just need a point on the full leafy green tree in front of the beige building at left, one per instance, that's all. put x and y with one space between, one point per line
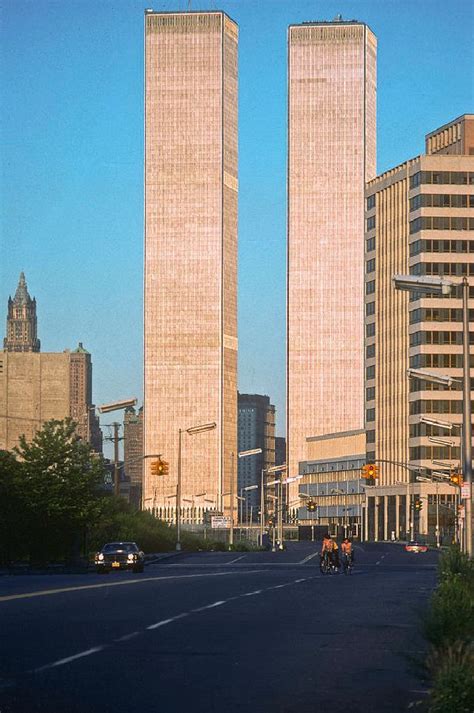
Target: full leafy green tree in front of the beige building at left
62 489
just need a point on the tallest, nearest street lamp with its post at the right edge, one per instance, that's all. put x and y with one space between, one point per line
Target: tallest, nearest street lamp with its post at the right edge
433 285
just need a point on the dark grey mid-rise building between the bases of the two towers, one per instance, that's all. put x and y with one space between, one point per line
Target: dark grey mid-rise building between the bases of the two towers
256 430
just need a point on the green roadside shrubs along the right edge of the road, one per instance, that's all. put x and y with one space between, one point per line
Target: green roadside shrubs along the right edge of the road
448 626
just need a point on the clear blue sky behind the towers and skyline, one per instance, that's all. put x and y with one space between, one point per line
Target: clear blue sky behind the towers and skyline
72 160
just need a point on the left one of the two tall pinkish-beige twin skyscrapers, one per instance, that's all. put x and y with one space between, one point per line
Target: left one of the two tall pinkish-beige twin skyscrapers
191 185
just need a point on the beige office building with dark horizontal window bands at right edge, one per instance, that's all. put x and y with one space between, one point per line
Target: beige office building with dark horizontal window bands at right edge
419 219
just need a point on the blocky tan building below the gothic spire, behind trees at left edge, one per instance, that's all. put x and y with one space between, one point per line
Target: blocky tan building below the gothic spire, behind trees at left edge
36 387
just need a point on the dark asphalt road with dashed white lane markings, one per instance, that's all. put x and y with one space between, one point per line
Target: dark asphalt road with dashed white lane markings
218 633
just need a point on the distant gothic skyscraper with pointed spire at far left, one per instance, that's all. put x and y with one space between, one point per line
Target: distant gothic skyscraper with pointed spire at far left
21 321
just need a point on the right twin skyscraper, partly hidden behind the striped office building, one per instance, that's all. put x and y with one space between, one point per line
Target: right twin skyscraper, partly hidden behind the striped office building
331 154
